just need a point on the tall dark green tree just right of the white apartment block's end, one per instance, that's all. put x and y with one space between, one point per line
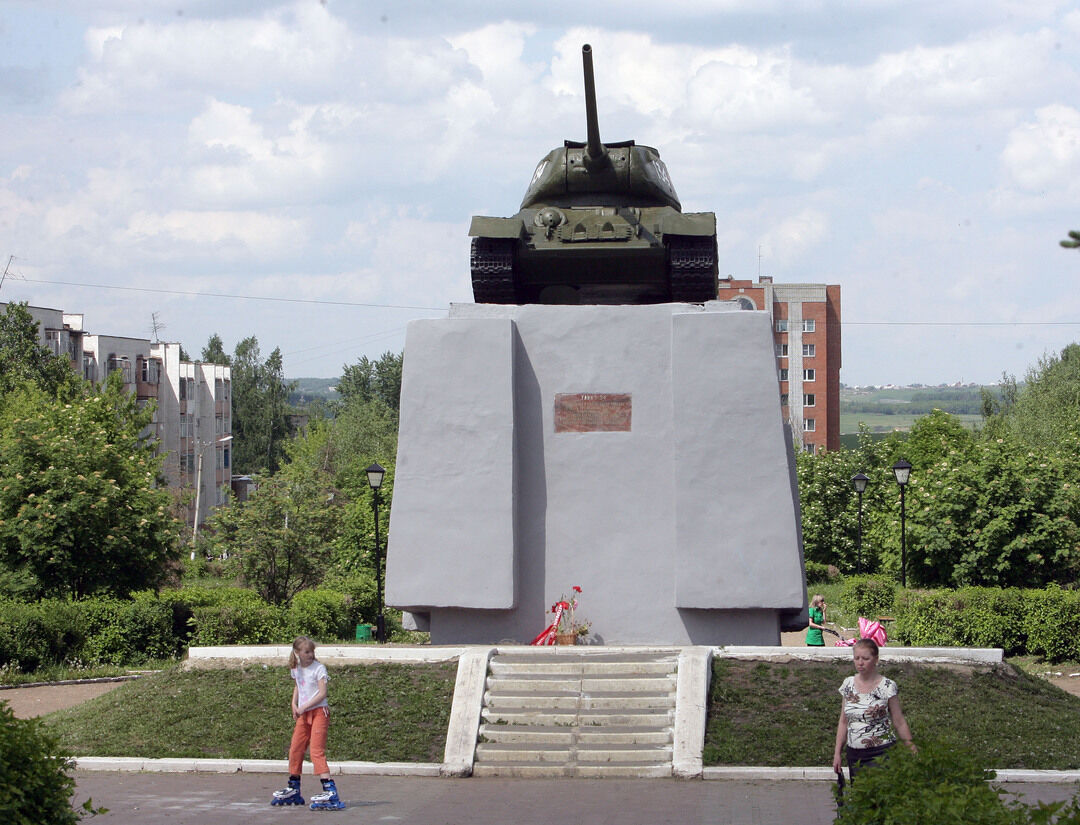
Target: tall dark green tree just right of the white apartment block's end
260 409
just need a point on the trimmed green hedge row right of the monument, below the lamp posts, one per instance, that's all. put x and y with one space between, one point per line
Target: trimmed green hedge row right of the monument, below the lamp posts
1037 623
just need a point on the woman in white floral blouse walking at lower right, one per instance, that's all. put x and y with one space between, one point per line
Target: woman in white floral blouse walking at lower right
870 711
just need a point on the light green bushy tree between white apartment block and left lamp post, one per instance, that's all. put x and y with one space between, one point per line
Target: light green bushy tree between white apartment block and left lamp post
283 535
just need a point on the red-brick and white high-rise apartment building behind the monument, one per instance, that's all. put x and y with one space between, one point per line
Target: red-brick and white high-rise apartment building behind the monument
807 334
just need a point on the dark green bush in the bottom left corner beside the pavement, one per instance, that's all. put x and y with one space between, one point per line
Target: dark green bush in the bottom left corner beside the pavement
36 788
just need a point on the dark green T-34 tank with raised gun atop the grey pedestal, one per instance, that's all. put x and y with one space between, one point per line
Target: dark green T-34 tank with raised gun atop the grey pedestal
600 224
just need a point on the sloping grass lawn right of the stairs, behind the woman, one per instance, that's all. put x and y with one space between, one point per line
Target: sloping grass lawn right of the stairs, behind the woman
786 714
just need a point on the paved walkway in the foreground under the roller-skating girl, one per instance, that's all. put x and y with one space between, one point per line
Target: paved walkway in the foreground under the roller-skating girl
217 800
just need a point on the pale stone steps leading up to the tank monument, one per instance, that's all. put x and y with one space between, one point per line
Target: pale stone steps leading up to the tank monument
572 712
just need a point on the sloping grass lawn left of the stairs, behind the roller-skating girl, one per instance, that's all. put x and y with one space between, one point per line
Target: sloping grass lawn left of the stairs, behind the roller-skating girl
379 713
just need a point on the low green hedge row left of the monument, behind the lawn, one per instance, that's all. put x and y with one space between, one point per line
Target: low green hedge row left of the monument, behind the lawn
148 627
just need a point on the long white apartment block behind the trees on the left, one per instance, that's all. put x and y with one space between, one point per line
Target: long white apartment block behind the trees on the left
193 421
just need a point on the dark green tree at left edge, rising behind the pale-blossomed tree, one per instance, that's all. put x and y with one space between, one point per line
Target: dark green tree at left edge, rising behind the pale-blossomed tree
23 360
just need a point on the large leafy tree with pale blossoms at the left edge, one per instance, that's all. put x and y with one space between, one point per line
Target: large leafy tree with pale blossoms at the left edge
83 504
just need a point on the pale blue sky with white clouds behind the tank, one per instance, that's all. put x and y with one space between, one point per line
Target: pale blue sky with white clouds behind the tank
305 172
